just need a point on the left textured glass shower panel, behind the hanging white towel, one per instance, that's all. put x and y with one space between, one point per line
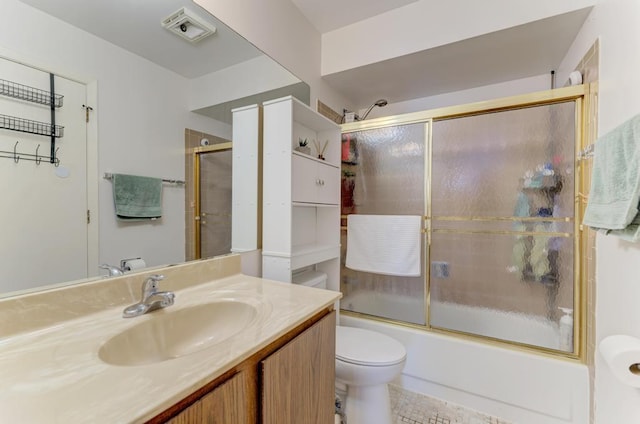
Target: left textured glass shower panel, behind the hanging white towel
383 173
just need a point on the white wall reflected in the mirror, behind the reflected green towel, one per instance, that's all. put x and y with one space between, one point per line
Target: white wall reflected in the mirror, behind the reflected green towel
142 112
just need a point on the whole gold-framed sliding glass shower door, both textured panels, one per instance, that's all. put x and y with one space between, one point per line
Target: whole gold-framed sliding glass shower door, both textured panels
497 184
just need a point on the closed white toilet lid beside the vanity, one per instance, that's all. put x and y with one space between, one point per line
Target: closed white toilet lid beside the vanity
364 347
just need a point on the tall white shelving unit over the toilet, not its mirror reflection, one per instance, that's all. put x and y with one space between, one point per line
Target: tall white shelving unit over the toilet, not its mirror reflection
301 193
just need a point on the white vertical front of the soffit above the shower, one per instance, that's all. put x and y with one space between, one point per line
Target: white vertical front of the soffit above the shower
426 24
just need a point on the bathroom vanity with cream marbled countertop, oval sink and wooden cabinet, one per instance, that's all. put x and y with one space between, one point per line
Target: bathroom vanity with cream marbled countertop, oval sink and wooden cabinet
232 349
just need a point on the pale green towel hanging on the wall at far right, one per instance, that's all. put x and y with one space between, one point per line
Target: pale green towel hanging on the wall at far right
615 183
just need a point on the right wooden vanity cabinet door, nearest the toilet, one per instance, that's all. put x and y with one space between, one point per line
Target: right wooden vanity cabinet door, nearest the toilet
298 380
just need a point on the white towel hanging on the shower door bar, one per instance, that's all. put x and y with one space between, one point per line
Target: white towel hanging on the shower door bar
384 244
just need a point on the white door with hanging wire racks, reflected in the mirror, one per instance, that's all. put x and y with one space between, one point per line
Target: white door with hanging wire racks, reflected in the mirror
43 213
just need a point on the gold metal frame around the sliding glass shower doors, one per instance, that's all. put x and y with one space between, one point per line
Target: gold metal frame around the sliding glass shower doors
578 94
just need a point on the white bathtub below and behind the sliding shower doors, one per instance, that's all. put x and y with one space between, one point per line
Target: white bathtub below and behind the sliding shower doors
509 383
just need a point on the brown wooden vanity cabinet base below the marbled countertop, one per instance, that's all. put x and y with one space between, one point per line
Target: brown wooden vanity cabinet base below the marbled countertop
288 382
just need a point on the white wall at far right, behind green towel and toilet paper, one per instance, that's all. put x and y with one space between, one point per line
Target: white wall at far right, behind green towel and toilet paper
615 23
